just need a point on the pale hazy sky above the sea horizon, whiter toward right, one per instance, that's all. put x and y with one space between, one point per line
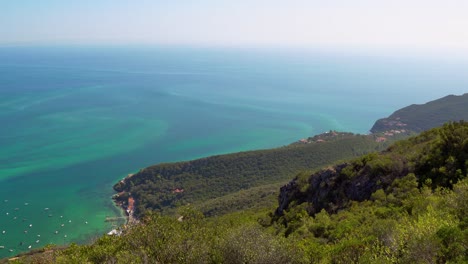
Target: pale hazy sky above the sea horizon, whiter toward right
376 24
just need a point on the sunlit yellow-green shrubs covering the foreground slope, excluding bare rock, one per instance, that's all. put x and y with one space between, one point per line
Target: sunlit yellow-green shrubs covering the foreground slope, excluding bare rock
419 215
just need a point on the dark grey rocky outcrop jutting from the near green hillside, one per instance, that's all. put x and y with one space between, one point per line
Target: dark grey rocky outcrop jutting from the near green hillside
334 188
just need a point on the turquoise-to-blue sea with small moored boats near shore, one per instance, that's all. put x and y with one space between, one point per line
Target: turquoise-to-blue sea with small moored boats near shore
75 120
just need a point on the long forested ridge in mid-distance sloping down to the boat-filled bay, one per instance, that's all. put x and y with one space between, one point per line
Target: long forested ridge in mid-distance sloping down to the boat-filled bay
166 186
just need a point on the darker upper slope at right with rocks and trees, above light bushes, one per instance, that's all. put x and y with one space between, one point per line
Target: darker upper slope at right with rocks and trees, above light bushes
436 158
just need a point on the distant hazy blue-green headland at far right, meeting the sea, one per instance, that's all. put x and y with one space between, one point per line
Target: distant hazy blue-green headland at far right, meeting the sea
419 118
